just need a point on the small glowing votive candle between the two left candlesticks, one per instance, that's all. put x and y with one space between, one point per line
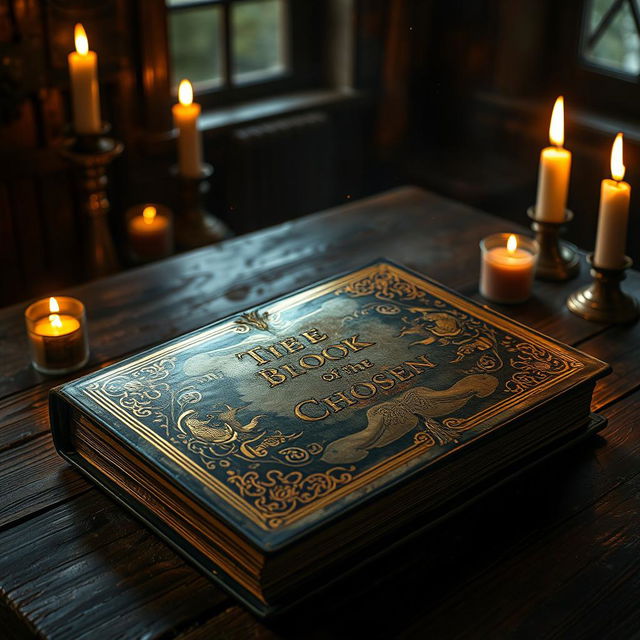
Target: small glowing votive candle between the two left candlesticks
149 232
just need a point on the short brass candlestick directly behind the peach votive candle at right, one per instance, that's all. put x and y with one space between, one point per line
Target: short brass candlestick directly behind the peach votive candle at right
557 261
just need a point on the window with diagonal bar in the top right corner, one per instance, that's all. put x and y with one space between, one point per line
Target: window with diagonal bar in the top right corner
611 38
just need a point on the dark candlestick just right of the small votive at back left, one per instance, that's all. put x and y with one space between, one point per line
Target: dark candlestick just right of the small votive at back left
194 225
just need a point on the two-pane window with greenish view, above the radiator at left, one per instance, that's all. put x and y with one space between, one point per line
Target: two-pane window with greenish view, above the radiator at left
228 44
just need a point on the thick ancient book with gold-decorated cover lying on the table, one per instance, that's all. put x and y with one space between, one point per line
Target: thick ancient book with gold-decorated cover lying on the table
277 447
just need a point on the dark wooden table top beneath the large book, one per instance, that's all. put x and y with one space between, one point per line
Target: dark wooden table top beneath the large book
554 554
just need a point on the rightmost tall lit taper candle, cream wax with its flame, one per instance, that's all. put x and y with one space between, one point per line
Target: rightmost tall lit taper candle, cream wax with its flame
615 195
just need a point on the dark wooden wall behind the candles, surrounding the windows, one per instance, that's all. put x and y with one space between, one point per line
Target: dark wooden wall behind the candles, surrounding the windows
454 96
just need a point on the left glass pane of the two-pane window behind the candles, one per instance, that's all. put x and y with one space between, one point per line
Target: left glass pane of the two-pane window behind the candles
194 39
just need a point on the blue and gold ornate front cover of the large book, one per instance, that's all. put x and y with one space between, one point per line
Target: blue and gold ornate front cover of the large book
288 414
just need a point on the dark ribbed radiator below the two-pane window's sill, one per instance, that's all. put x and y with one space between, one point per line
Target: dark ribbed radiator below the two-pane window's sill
280 170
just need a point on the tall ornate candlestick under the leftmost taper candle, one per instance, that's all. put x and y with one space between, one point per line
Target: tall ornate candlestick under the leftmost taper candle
91 155
